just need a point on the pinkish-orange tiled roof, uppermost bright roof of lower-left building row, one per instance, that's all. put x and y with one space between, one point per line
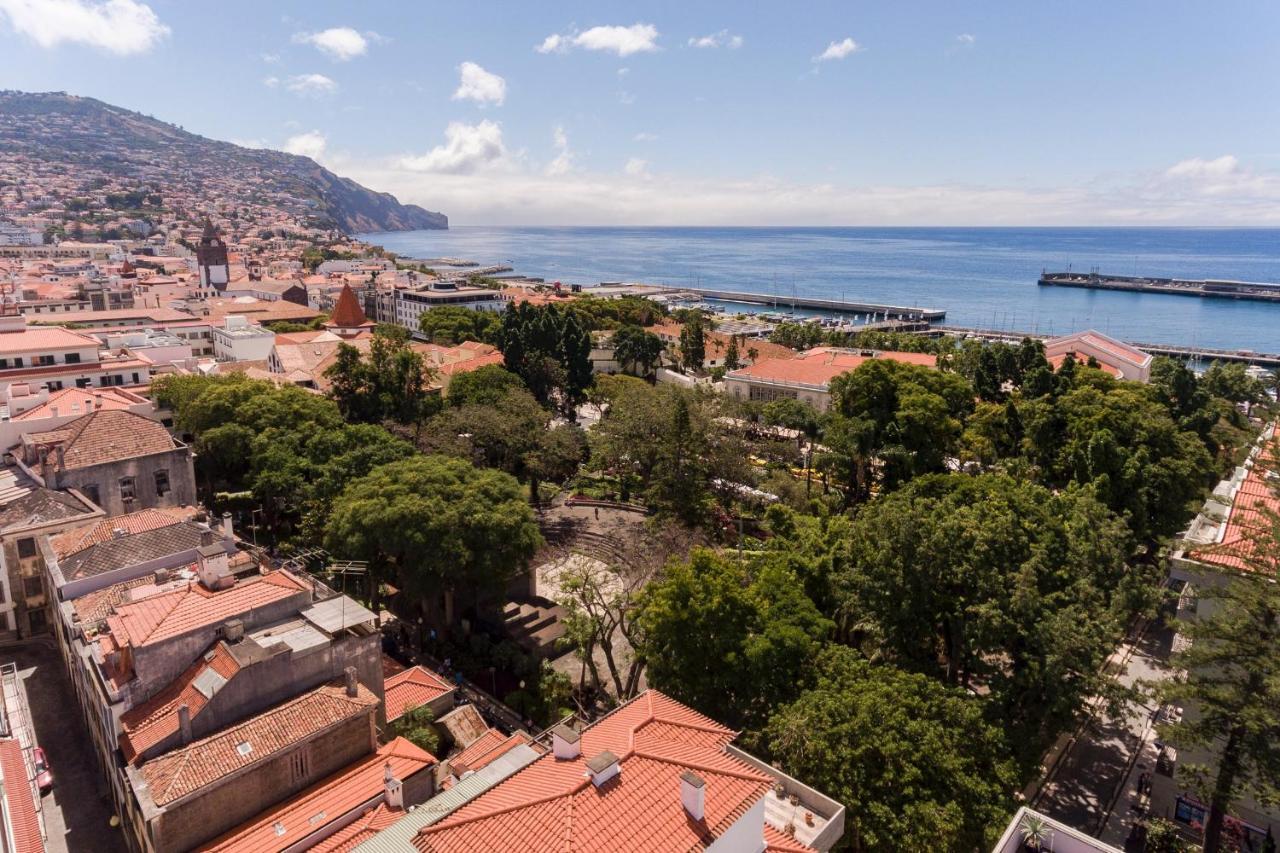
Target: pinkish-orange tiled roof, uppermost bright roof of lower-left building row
175 613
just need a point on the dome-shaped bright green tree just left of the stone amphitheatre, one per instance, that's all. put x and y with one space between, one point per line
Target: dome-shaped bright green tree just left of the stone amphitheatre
436 526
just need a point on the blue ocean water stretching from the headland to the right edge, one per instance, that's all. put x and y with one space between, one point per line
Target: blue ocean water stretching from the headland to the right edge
982 277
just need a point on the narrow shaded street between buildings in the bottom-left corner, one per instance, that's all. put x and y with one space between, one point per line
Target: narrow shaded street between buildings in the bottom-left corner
79 809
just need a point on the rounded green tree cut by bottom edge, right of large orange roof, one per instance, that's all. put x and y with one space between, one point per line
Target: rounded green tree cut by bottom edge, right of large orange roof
915 763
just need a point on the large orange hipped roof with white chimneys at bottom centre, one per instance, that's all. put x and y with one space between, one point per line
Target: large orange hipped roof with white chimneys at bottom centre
554 804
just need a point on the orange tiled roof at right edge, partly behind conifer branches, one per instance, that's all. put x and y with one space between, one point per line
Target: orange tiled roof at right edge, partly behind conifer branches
1252 514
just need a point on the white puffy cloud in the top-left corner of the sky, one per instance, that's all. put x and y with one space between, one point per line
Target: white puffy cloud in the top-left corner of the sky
120 28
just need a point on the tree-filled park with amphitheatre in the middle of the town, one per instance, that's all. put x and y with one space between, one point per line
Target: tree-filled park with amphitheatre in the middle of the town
903 601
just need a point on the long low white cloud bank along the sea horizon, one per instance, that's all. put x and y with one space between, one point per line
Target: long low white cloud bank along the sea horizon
522 195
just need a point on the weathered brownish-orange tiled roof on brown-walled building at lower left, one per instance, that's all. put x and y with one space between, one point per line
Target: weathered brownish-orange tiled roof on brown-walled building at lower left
204 763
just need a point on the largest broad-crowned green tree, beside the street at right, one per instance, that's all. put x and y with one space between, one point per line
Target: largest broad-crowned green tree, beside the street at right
995 583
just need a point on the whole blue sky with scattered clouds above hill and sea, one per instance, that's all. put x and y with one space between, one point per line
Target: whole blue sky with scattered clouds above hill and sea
687 113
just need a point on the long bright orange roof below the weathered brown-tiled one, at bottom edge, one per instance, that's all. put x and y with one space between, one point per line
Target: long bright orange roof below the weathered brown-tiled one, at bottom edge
333 799
